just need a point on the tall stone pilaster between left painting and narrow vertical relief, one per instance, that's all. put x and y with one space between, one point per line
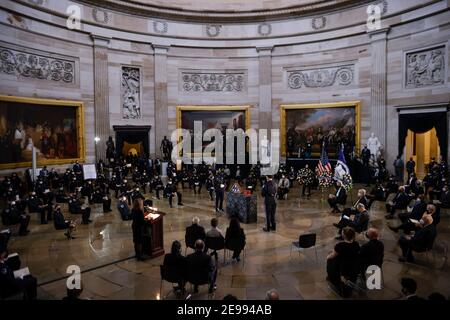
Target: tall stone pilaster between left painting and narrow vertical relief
101 95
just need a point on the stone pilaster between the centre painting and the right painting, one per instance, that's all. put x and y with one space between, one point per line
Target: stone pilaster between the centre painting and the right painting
265 87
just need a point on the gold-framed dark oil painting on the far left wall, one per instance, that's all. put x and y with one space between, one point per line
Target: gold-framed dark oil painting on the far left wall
54 127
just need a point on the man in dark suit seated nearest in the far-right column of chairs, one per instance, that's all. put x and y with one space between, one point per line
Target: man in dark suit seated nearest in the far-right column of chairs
422 240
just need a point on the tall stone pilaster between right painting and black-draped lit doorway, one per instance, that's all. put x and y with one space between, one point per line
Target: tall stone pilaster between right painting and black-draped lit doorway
378 84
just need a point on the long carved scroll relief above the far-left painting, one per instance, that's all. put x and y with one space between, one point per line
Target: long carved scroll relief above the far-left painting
36 66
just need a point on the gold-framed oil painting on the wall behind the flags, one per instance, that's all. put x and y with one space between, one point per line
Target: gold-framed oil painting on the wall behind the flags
305 128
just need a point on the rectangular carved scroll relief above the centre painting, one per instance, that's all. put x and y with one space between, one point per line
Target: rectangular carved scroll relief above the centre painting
212 81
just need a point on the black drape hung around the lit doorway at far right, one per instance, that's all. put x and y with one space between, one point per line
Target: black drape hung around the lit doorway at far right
421 123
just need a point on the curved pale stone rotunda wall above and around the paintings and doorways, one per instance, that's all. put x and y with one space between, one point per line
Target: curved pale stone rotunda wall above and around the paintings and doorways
267 56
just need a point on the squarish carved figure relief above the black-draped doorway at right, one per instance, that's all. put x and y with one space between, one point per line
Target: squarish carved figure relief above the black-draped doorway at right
425 68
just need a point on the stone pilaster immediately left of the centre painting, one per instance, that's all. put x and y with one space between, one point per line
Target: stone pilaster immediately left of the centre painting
161 112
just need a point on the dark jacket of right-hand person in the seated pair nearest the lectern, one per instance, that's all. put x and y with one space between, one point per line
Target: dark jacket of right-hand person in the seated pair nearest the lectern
199 267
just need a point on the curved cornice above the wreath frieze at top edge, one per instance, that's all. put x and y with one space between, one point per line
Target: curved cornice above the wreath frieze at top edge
224 9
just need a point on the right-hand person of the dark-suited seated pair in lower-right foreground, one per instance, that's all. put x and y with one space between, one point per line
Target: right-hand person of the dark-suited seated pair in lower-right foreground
372 252
